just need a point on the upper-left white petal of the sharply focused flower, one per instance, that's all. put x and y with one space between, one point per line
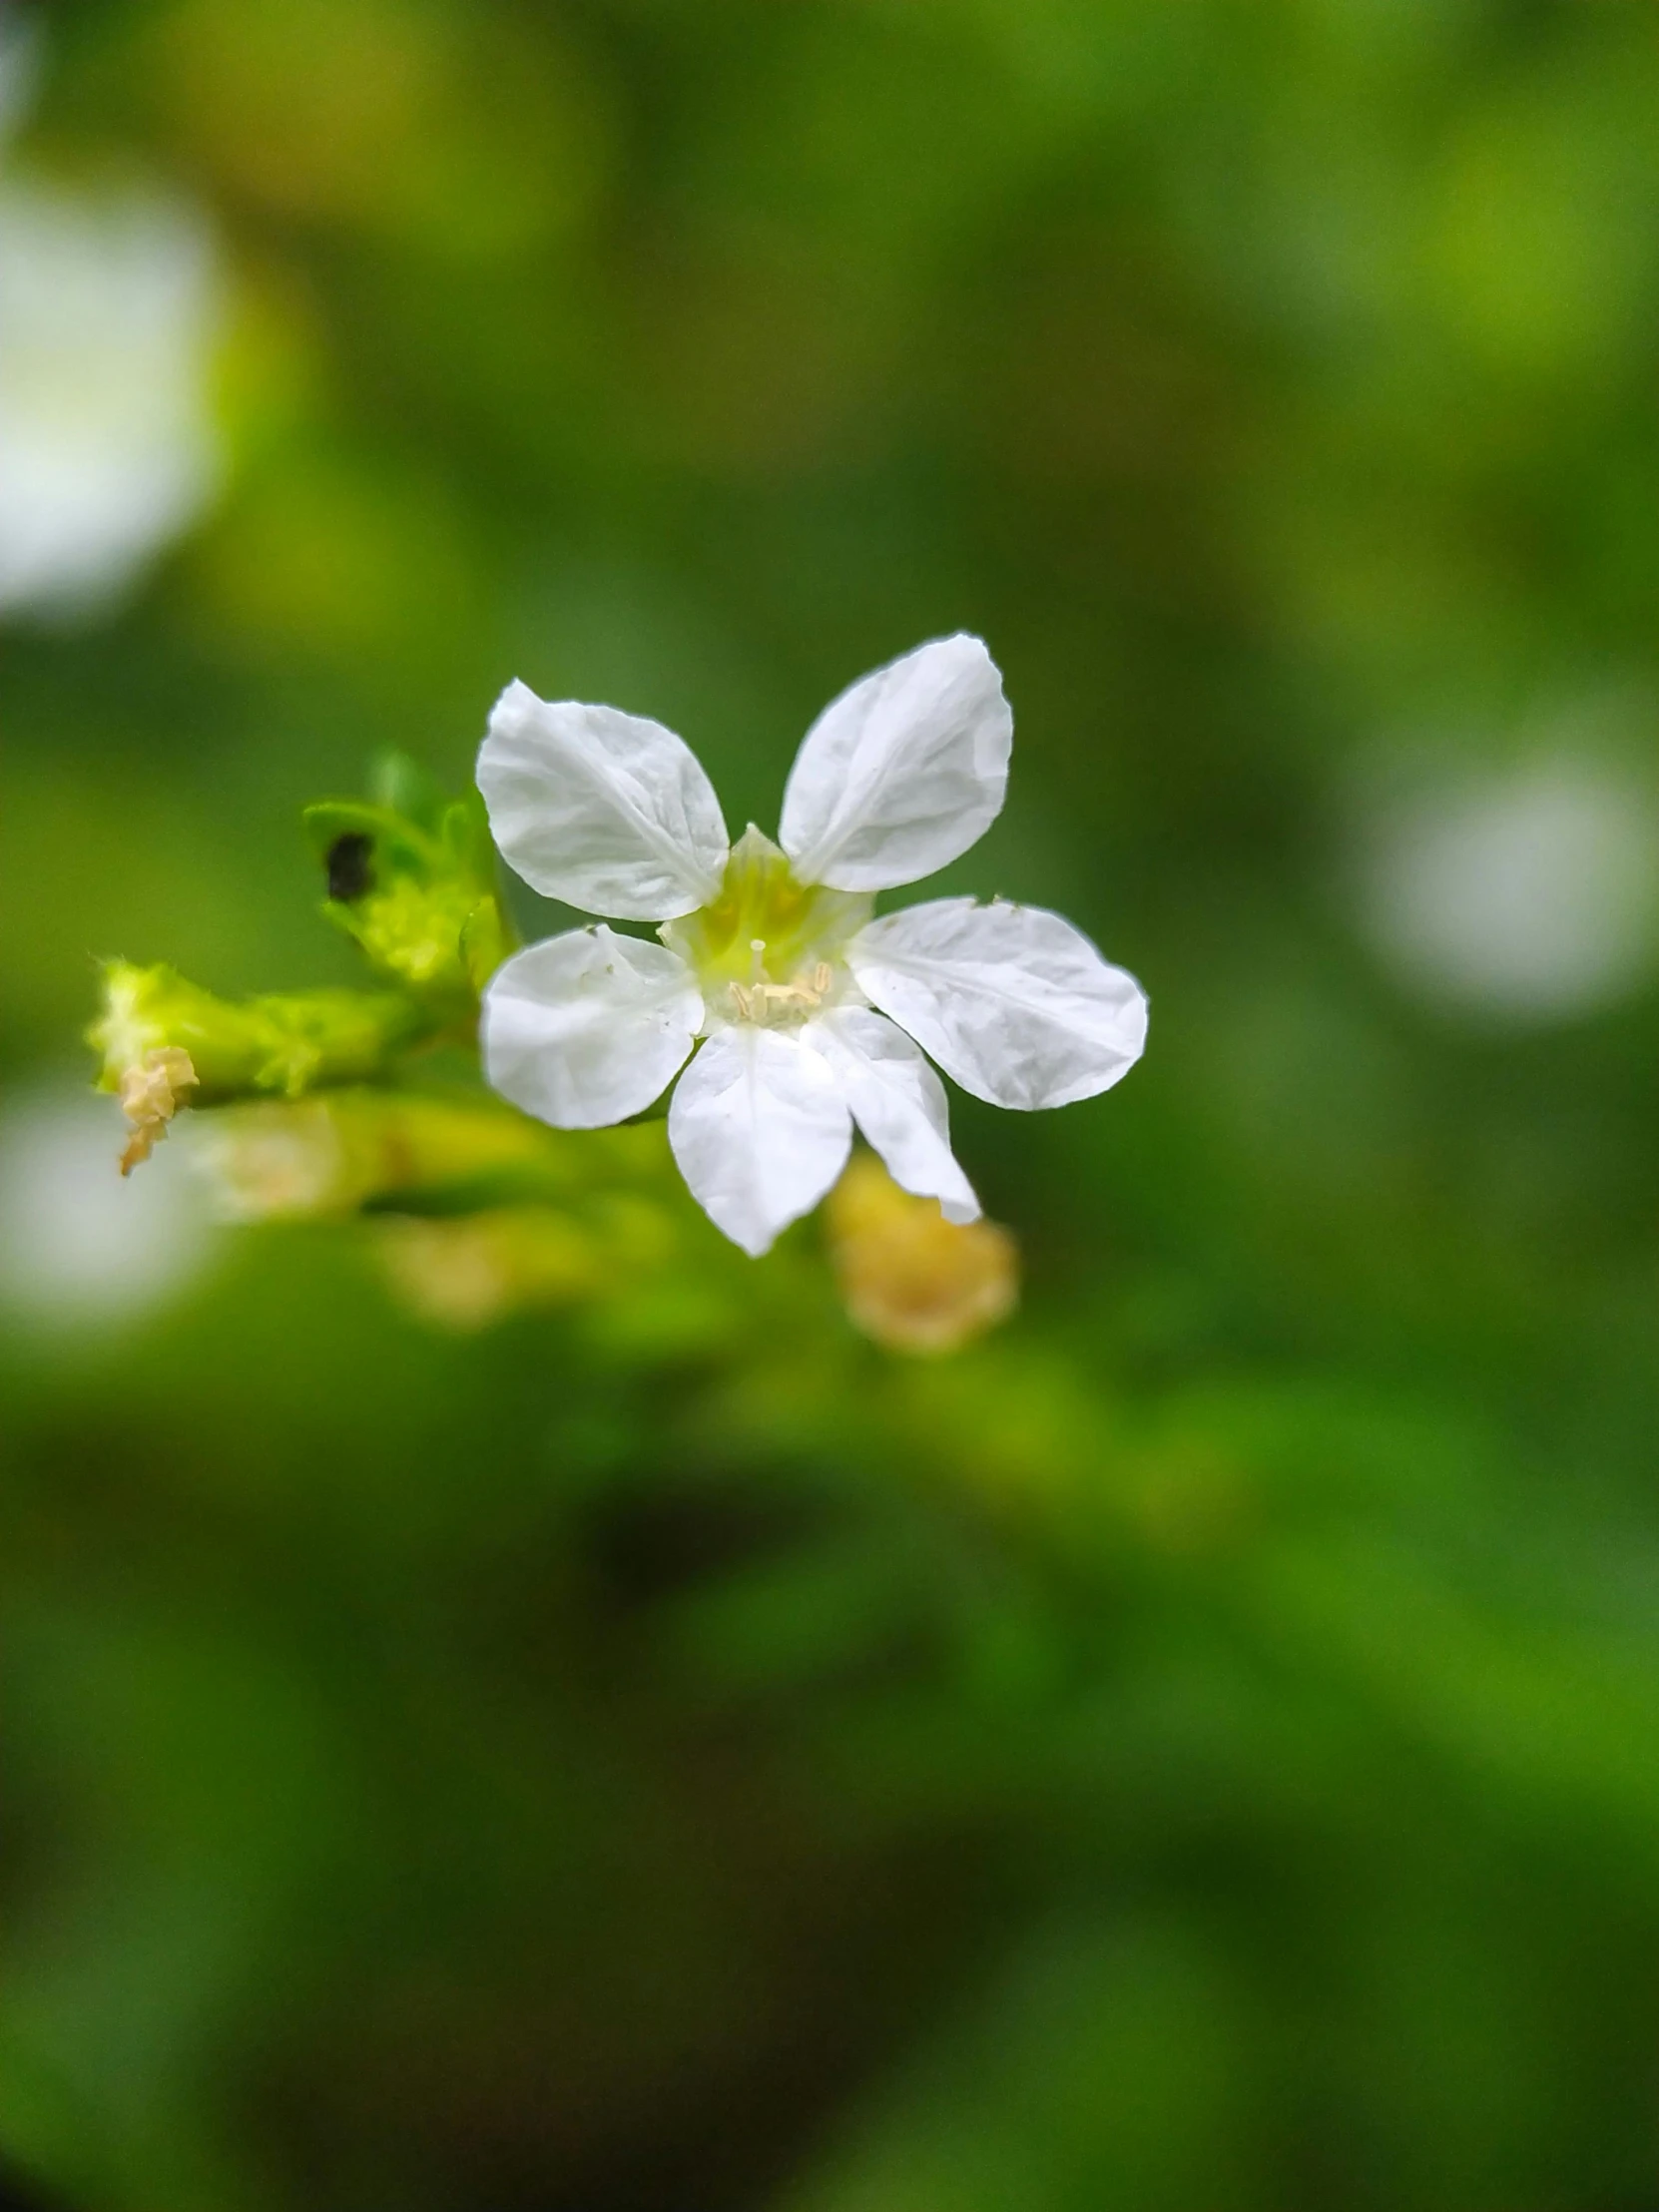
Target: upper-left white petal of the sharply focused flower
605 811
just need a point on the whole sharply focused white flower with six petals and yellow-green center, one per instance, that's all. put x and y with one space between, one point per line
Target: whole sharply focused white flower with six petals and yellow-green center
811 1014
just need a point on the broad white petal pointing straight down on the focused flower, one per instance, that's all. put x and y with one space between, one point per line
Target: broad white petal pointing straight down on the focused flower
760 1129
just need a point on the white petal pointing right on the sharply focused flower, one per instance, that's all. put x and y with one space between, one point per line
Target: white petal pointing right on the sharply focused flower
1012 1001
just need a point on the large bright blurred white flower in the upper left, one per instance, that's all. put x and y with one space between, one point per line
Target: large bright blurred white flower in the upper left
107 324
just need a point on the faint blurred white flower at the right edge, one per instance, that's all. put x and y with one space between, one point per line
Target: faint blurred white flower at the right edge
1530 893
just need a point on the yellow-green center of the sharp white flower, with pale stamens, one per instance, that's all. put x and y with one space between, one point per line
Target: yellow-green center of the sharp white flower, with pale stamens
766 948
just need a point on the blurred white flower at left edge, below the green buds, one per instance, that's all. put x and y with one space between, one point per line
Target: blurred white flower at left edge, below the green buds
81 1246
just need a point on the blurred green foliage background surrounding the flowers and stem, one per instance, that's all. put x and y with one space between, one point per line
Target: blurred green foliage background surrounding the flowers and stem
1198 1749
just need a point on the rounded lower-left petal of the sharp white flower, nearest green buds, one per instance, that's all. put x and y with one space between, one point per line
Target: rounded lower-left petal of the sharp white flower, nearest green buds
589 1027
